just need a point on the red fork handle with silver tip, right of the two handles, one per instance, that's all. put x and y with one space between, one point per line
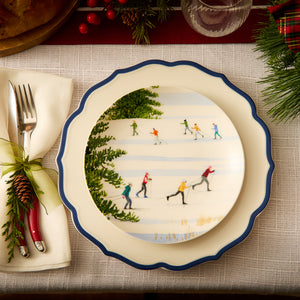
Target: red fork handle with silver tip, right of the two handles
33 225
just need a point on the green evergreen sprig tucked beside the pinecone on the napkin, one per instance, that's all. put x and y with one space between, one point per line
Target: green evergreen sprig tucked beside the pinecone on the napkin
11 229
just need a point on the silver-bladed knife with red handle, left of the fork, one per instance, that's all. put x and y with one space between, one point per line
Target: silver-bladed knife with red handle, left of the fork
14 135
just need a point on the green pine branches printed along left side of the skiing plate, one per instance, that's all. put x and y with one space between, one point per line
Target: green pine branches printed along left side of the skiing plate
99 156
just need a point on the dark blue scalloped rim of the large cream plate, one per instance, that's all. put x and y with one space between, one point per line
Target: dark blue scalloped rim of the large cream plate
163 264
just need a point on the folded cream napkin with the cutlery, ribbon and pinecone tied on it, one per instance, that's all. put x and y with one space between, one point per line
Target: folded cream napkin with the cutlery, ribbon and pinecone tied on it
34 230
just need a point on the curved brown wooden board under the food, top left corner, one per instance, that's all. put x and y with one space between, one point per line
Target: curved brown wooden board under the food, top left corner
37 35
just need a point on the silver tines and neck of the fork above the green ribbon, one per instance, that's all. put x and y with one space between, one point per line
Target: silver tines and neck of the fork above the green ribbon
27 113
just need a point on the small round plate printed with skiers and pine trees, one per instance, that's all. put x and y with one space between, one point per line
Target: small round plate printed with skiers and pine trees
159 167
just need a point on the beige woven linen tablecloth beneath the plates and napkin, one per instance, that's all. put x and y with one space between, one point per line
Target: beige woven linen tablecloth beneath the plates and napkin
267 261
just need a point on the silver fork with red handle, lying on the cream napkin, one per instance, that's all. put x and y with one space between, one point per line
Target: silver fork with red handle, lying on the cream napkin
27 123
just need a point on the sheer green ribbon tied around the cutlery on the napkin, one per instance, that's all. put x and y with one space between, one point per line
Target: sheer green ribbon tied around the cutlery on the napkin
13 159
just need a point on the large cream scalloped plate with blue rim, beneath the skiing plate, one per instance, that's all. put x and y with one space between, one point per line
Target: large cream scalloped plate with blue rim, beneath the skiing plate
251 191
